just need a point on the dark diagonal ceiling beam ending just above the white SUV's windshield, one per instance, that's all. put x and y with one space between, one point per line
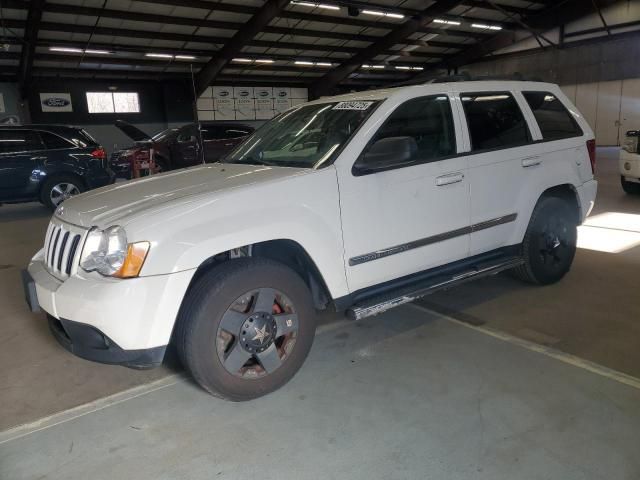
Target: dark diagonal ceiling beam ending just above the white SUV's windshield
398 35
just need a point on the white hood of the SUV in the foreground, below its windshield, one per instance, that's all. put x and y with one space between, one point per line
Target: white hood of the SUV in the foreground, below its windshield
119 203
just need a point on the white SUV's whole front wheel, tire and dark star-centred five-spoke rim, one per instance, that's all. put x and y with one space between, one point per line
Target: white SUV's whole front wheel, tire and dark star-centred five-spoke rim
245 328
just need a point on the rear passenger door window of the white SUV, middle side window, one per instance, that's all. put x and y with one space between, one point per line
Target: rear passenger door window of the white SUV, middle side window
494 120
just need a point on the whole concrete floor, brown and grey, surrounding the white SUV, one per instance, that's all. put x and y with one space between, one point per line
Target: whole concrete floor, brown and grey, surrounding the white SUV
405 395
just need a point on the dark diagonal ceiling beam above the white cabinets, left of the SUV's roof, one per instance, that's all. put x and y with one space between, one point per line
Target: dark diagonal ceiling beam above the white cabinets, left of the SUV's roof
233 47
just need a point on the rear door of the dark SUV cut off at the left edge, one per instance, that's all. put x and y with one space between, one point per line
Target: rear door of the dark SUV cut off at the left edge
21 153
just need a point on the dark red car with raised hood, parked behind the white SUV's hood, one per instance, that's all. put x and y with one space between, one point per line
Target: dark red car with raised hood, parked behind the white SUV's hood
178 147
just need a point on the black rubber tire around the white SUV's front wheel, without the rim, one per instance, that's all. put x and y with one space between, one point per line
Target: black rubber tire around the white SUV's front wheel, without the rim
210 298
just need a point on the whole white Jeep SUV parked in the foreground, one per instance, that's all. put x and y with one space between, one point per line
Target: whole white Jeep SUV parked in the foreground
361 202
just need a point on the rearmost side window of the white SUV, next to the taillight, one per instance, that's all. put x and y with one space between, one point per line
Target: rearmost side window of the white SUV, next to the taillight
553 118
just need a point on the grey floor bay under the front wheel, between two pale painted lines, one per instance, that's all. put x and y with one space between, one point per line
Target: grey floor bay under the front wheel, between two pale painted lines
406 395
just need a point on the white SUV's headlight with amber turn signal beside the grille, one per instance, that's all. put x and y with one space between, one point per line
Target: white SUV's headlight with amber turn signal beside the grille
108 253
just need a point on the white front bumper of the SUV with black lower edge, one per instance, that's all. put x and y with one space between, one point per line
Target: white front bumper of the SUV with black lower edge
126 322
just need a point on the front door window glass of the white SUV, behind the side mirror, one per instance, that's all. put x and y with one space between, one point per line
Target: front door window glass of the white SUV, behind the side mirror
429 122
